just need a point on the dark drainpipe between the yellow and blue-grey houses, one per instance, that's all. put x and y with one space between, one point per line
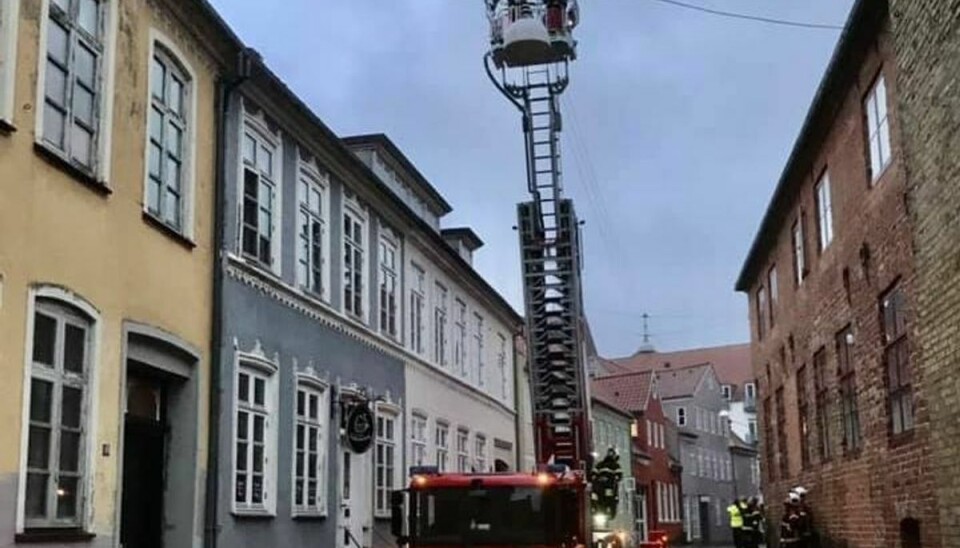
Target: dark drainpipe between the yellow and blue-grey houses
225 88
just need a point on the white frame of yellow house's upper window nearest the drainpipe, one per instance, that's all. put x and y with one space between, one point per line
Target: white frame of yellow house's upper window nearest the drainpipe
167 51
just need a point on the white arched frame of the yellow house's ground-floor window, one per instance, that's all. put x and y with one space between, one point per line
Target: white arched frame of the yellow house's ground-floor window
49 300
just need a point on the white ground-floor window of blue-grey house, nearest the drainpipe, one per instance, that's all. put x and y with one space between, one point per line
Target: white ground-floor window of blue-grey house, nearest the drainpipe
253 467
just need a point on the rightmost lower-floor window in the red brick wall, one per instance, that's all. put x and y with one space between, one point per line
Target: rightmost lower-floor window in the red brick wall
897 359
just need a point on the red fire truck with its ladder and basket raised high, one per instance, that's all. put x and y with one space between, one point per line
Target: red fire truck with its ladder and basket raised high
531 47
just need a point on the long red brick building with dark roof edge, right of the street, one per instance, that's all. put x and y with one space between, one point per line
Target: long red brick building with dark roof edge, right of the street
833 310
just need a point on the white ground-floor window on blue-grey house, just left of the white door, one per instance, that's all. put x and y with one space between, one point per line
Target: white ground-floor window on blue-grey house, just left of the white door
310 450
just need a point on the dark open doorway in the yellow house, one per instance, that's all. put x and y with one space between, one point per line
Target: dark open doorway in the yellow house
144 451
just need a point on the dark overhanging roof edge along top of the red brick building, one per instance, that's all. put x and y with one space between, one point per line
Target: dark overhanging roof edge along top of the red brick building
861 26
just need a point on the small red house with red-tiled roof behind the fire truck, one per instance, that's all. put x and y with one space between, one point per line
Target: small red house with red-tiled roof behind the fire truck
658 492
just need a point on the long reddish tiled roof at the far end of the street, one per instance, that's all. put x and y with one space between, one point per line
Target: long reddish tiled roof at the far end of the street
731 363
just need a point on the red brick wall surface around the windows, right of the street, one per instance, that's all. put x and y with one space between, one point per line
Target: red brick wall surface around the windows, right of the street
857 497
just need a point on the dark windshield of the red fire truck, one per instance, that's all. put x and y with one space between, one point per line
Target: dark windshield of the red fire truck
494 516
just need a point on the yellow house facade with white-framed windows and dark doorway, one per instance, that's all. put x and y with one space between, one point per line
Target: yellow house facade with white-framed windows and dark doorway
107 177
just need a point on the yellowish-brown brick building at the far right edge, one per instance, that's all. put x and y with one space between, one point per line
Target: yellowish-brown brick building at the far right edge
927 40
